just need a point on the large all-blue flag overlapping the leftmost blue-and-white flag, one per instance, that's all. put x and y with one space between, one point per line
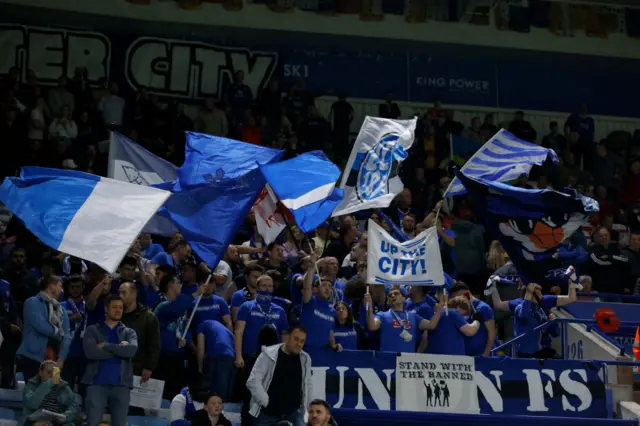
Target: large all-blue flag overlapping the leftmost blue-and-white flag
215 190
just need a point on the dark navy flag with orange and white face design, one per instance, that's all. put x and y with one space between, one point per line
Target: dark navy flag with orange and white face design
530 224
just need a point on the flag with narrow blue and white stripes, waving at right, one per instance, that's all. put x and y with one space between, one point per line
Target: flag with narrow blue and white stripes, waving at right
503 158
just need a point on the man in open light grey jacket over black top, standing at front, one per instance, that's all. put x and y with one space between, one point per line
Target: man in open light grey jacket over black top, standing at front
280 382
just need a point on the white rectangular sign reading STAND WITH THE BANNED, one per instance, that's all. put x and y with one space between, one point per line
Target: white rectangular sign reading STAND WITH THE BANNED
436 383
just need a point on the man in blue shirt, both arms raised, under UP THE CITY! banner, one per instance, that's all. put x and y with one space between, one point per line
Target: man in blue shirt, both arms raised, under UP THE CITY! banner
398 327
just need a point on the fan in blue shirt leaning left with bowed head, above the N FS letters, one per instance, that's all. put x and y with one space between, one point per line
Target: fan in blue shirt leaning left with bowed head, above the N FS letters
483 341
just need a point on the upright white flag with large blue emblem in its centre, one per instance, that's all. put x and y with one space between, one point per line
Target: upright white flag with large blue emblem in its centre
370 179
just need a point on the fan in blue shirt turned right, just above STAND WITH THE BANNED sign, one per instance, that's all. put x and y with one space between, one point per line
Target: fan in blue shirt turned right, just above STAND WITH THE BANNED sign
448 338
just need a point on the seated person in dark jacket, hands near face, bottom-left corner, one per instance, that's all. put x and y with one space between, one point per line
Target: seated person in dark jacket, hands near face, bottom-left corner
47 391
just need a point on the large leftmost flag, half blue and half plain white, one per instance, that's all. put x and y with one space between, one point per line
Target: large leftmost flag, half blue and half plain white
83 215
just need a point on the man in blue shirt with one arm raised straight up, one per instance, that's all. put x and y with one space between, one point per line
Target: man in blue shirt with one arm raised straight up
318 315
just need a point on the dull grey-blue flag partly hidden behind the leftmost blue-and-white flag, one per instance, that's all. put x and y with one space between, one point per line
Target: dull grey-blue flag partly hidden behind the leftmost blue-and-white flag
130 162
